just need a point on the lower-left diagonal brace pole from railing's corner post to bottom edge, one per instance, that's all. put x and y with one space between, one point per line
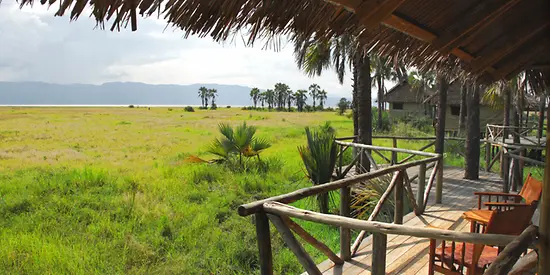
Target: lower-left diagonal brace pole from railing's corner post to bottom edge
298 250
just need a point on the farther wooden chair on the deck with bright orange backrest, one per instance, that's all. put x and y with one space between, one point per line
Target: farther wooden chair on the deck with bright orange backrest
529 195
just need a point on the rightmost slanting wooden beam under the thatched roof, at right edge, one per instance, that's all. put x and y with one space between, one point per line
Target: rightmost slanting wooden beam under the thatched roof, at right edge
508 43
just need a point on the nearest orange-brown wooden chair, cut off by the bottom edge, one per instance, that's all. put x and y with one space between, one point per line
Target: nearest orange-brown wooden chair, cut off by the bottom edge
453 258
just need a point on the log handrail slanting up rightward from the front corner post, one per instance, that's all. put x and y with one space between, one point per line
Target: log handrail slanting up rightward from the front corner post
253 207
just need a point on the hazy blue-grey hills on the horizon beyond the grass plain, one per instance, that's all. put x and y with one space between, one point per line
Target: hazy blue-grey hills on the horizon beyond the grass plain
121 93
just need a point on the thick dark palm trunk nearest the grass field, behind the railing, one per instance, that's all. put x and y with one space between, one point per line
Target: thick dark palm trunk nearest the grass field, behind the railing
364 106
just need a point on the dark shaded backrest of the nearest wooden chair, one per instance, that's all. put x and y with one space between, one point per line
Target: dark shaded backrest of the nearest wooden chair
511 222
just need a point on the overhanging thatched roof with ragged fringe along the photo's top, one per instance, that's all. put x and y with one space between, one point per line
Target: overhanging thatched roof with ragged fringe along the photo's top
490 39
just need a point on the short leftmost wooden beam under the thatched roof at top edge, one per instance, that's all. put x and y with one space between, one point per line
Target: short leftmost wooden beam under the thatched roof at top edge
372 12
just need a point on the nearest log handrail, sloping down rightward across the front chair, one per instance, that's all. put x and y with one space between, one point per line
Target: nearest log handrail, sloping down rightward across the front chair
387 228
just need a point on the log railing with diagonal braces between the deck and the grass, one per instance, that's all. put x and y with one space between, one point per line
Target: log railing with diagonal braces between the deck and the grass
265 210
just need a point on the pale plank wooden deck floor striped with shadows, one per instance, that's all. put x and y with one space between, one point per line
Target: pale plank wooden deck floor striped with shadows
409 255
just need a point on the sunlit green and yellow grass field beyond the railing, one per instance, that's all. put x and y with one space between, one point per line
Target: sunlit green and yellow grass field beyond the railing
108 190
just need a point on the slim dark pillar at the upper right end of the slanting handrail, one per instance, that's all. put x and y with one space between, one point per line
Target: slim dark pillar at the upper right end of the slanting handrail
442 86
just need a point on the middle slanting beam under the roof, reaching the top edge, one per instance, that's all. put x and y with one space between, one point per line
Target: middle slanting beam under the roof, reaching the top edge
472 21
